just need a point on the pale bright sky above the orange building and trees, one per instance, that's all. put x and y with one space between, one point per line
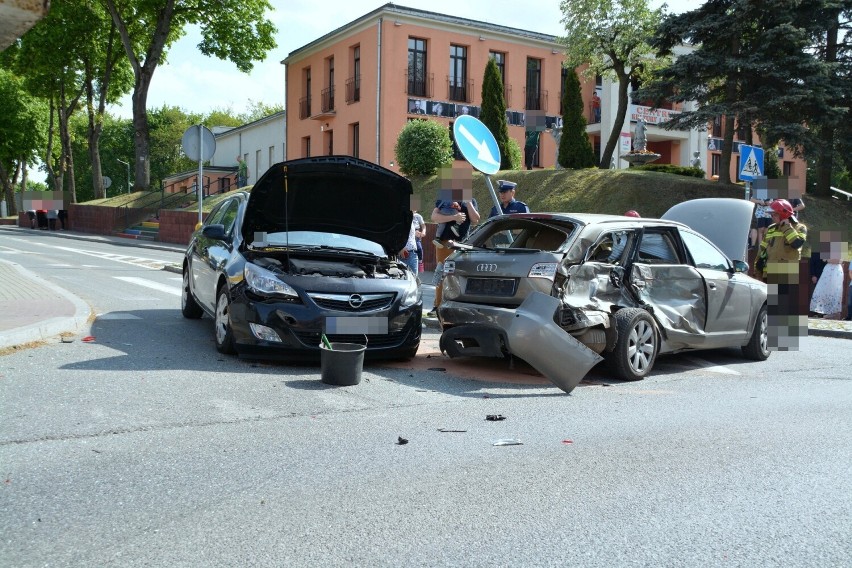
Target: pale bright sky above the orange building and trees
201 84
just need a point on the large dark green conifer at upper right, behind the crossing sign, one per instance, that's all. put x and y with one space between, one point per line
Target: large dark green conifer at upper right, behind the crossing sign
753 64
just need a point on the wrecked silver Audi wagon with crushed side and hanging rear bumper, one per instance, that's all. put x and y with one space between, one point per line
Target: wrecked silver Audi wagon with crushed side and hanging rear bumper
564 291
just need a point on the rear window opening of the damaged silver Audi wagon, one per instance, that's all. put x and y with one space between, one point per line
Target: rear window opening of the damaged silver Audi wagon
526 234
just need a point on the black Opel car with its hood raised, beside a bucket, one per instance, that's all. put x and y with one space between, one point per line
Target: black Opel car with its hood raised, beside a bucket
312 249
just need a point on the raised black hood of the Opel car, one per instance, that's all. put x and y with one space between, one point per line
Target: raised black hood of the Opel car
335 194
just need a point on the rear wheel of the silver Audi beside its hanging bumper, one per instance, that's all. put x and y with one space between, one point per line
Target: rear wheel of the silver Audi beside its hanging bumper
636 347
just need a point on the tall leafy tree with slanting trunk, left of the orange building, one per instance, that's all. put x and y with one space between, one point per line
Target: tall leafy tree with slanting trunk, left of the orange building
236 30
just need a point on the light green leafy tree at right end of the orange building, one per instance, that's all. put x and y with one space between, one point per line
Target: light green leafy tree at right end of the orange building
610 38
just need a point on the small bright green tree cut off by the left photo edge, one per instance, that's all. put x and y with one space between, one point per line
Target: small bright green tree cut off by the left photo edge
23 125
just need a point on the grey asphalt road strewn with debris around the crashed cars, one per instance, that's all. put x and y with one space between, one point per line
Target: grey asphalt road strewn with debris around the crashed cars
146 447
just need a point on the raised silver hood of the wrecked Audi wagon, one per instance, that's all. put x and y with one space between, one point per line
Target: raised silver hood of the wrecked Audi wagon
723 220
